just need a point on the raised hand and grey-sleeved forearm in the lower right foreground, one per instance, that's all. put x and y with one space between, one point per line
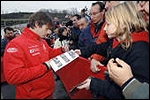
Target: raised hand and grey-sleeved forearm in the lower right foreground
120 72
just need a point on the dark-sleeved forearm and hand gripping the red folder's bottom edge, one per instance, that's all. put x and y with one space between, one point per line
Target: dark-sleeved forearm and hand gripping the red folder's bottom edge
102 88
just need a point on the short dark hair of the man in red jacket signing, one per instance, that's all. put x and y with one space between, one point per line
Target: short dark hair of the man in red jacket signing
40 17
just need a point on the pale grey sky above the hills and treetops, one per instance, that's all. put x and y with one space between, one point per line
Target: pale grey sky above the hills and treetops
32 6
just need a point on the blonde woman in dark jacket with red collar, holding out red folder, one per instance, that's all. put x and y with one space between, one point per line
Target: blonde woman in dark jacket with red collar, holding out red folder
129 41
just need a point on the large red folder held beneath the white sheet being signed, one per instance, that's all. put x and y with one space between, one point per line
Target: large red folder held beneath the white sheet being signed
76 72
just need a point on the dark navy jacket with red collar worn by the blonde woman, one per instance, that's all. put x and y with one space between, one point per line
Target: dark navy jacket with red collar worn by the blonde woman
137 56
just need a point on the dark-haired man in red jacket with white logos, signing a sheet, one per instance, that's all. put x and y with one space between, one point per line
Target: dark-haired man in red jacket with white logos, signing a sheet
26 60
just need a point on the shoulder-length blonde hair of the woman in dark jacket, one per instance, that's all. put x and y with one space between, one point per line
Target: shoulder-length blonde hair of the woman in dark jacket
127 20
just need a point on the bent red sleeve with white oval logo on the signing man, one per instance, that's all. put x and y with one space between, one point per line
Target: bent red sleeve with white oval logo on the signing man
16 69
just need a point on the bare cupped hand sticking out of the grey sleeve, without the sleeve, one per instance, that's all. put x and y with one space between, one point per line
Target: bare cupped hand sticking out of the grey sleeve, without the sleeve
119 71
